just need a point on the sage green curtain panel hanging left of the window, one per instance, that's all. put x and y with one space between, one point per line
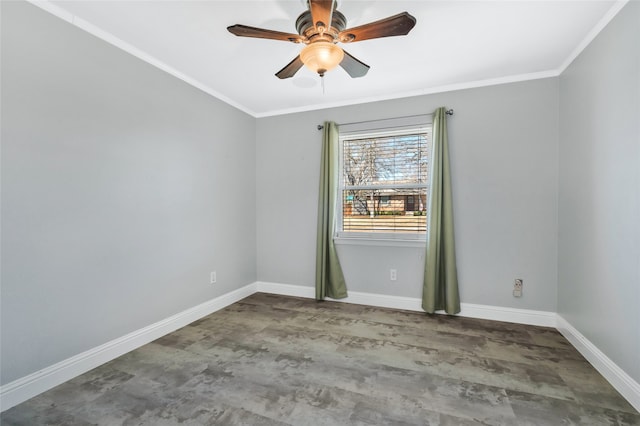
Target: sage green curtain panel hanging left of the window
329 278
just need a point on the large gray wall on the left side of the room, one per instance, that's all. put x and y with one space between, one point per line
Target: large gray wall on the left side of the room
122 188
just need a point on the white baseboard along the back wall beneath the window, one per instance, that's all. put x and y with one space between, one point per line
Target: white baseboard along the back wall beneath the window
496 313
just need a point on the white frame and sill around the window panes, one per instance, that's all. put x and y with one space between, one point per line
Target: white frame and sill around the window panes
378 238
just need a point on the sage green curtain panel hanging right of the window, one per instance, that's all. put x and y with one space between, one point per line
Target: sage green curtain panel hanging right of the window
440 287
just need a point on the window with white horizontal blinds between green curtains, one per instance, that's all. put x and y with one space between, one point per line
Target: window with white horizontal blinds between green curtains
383 183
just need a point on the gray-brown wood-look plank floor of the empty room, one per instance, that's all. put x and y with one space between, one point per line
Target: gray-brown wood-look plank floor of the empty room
274 360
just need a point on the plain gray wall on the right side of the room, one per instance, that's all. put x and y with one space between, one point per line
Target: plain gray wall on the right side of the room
599 208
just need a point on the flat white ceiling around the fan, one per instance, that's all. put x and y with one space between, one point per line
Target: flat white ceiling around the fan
455 44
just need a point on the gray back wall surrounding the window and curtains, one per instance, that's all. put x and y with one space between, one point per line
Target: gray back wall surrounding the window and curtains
503 142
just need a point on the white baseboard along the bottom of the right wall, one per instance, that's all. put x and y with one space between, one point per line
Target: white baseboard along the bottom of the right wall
621 381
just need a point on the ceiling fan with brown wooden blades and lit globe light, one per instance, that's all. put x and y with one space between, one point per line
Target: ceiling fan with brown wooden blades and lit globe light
320 28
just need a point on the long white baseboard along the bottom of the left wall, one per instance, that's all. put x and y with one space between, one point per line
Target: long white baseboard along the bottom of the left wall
29 386
